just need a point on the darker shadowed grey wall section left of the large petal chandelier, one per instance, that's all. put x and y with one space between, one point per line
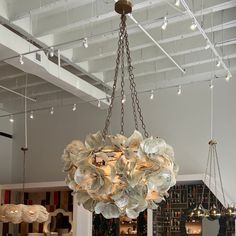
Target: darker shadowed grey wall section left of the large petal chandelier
48 135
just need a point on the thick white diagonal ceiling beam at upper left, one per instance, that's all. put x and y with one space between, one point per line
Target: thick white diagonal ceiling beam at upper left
47 69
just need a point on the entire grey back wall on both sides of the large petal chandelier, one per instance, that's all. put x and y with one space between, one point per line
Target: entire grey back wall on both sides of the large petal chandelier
183 121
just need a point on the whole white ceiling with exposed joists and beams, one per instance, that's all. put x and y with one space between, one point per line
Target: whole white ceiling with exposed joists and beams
66 22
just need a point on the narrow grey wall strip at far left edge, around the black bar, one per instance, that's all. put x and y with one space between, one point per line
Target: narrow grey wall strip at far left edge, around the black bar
5 150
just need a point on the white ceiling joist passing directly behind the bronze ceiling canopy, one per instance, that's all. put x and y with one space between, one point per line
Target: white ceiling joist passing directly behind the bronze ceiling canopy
86 16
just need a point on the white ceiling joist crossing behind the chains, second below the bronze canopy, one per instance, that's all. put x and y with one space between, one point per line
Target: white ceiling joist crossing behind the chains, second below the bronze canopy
139 41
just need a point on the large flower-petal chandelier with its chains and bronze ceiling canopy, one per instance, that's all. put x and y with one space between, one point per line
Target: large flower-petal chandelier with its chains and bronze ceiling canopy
115 175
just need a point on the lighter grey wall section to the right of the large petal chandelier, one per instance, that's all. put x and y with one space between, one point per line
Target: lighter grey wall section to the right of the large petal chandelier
184 122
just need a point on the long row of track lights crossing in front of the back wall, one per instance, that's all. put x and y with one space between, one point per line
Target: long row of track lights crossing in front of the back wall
152 93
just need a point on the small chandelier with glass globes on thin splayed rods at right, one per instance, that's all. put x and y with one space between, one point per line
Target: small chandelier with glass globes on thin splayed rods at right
213 171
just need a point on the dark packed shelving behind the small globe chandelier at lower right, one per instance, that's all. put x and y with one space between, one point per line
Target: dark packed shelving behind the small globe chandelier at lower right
167 218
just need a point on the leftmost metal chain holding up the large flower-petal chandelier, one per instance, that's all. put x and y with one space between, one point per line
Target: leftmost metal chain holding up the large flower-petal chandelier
109 114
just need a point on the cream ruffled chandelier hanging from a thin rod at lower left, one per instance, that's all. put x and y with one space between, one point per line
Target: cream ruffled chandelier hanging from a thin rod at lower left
17 213
